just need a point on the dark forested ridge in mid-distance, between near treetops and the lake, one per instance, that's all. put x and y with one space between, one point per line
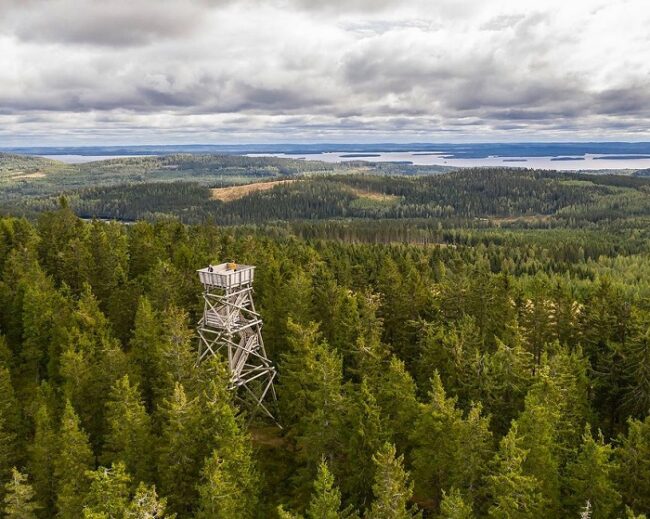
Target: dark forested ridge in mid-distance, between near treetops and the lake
499 195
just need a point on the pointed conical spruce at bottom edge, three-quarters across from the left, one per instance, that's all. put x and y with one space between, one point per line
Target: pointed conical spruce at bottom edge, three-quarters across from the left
515 495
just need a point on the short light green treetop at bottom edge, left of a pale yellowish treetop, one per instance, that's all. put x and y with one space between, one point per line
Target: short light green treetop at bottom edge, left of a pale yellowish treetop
108 494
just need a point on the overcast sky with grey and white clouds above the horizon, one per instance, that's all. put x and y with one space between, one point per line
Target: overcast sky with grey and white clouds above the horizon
75 72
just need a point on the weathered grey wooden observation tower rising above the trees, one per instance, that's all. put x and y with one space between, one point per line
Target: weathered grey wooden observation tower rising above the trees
230 324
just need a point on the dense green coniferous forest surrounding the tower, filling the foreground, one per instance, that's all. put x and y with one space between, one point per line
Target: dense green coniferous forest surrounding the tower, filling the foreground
425 370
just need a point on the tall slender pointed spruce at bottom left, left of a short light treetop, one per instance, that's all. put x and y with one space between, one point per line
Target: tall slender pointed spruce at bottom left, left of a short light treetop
74 459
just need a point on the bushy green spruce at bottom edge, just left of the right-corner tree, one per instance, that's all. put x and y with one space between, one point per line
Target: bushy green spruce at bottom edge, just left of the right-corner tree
591 477
